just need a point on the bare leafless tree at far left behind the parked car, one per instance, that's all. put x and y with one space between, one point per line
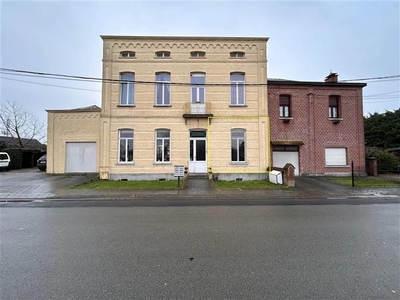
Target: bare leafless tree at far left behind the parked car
20 124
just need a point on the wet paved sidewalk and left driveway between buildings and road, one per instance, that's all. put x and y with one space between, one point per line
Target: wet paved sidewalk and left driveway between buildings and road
30 184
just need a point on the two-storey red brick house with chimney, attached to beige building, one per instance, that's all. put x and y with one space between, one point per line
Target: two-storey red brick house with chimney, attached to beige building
317 126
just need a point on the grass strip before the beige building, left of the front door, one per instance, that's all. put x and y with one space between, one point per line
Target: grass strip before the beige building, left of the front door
137 185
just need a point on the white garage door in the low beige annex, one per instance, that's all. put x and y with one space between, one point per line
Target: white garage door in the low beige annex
80 158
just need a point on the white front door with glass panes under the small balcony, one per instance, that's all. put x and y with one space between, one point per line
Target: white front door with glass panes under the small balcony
198 152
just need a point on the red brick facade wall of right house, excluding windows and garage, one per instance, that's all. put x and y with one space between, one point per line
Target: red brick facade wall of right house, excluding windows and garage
311 125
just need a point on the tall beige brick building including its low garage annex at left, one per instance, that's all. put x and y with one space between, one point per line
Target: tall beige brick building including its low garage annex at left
166 101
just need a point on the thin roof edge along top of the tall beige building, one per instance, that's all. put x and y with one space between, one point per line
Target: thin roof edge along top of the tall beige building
190 38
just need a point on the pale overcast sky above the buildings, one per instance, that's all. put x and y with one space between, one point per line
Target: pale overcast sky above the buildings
308 39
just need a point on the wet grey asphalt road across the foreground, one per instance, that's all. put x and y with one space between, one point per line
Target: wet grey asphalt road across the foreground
200 252
